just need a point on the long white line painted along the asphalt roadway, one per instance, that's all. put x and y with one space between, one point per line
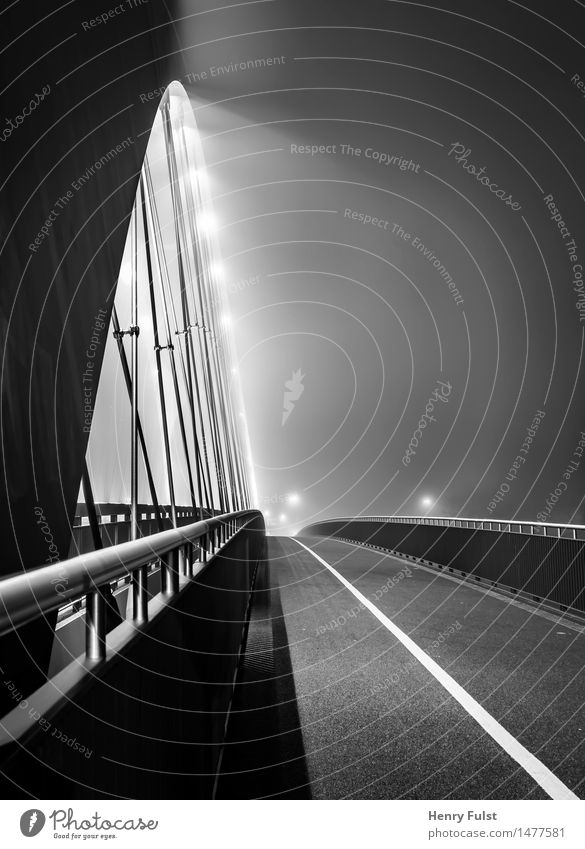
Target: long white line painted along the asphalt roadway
535 768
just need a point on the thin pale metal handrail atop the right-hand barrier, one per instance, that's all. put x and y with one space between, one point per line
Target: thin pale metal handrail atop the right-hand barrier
509 525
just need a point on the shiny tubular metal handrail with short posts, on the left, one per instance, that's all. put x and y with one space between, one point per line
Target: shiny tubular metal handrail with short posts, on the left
26 596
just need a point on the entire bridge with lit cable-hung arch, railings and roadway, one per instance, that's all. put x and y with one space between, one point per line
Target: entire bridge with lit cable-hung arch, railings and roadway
159 637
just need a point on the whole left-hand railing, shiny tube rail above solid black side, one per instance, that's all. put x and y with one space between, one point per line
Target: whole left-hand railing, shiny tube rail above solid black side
143 713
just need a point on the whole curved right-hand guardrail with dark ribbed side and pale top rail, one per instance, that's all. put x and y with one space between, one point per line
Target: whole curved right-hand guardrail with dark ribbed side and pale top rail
543 562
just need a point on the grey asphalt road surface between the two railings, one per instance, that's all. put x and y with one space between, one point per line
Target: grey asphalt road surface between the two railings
330 703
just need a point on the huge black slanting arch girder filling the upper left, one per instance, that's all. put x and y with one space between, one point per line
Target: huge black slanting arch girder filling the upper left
68 176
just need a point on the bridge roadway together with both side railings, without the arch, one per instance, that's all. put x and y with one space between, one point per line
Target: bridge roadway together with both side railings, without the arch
383 657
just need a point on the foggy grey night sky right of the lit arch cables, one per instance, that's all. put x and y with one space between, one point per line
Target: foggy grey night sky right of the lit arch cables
385 178
